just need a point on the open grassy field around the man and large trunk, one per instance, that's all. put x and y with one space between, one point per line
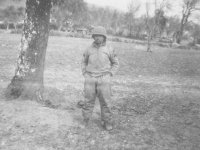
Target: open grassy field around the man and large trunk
155 102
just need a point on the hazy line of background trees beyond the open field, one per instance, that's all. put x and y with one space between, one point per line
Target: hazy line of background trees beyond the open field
73 14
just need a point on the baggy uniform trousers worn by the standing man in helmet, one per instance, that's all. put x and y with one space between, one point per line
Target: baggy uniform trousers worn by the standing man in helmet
97 87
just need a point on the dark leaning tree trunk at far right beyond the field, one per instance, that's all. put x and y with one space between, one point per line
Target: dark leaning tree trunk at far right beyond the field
188 7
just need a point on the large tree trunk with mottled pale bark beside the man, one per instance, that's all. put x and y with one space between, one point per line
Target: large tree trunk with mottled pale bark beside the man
27 82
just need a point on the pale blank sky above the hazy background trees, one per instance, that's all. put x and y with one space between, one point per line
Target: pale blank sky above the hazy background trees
123 5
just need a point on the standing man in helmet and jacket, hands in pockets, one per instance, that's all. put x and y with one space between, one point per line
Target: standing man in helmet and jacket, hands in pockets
99 64
